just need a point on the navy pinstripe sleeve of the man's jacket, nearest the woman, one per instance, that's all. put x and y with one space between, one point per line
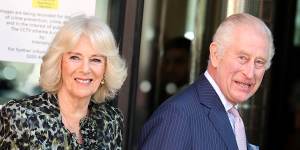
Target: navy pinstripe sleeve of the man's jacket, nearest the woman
167 129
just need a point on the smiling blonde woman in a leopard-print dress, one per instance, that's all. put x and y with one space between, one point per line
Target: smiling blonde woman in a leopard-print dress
81 71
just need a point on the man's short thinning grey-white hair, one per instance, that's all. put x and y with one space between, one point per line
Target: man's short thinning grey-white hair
224 32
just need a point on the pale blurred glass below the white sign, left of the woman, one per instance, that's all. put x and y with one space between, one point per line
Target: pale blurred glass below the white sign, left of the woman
18 80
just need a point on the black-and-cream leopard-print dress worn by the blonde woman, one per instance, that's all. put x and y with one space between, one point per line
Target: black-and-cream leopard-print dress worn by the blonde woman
35 123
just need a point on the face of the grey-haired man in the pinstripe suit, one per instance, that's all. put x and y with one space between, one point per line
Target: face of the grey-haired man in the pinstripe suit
241 66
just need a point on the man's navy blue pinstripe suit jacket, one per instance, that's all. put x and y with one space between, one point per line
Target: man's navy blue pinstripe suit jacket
194 119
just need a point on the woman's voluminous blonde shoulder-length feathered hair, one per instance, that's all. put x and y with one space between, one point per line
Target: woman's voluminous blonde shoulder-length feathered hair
101 38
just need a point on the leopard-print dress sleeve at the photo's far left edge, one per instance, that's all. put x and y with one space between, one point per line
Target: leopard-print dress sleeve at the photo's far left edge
14 132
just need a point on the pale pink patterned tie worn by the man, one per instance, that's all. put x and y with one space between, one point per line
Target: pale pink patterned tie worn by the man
239 129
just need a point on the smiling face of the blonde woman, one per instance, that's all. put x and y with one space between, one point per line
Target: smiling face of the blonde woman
82 69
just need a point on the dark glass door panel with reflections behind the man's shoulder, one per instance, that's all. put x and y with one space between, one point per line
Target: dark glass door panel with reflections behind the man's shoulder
165 53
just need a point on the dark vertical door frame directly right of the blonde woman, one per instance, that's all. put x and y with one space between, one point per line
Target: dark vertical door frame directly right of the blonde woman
127 26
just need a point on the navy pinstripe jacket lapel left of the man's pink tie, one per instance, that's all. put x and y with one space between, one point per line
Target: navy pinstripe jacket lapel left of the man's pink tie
217 114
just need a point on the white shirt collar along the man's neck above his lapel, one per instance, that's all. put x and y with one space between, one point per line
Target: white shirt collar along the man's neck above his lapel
227 105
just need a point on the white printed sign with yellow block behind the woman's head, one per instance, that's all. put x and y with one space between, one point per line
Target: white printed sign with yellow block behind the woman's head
28 26
